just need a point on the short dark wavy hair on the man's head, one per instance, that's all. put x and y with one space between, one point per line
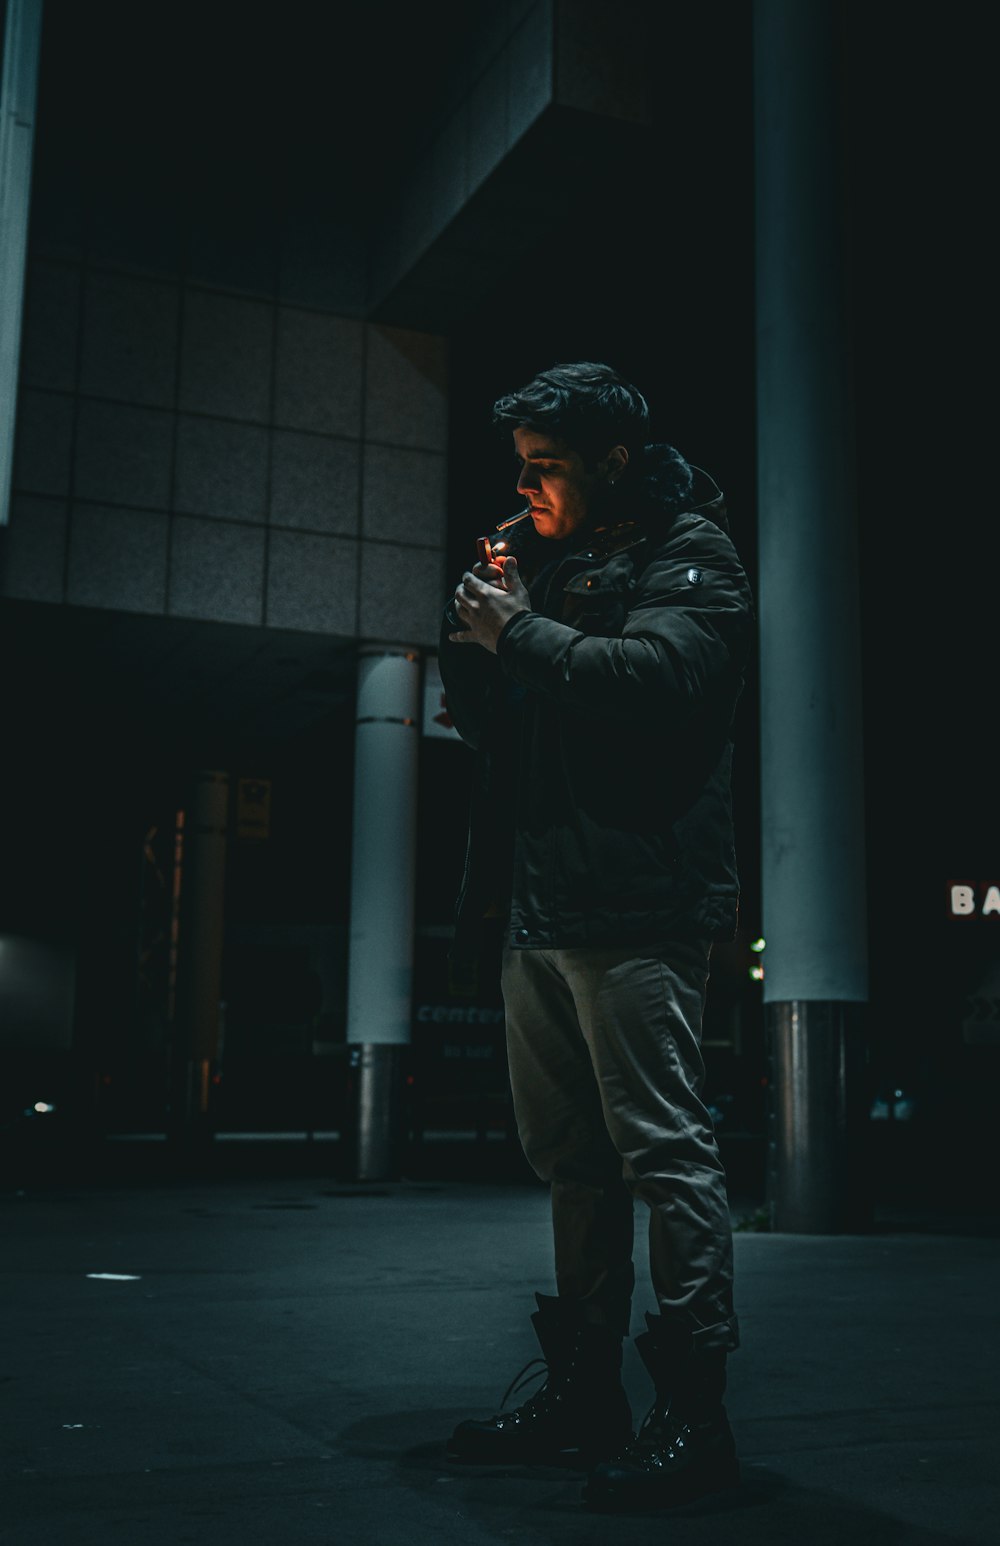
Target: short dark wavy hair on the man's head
588 406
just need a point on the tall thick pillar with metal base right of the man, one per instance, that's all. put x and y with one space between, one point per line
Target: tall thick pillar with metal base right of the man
812 778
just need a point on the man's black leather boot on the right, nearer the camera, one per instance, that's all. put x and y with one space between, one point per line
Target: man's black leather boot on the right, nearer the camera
685 1446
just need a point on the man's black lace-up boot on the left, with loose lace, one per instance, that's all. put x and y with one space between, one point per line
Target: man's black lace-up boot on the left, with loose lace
579 1417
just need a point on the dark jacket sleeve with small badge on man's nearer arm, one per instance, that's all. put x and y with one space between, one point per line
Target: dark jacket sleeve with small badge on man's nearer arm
685 638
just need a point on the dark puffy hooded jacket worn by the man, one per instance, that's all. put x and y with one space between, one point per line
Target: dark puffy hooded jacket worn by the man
604 727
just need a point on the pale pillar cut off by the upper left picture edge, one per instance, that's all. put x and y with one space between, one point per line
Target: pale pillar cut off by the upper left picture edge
19 86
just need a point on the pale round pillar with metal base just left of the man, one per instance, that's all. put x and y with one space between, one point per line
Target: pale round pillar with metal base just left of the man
383 904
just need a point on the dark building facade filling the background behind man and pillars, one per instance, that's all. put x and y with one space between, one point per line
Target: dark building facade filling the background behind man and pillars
281 262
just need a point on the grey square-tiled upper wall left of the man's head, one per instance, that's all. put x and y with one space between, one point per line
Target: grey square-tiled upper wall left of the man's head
228 460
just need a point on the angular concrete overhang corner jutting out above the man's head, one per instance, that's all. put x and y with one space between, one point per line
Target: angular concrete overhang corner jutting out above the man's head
545 117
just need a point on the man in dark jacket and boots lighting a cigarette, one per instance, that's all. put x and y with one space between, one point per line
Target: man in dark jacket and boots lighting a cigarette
597 675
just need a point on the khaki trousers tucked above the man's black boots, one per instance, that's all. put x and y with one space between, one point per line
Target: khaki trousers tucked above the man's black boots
607 1068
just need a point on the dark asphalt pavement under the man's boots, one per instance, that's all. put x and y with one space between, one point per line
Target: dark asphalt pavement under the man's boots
260 1350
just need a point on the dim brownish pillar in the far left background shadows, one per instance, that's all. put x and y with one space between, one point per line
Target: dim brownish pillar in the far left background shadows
200 930
